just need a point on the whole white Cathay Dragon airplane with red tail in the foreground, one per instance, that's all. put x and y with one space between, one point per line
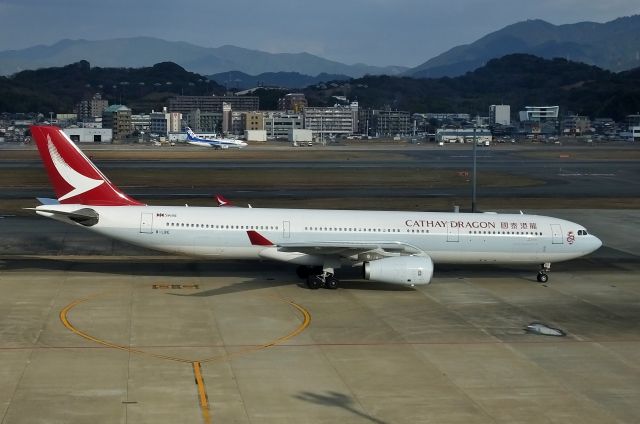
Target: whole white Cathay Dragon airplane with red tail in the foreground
390 247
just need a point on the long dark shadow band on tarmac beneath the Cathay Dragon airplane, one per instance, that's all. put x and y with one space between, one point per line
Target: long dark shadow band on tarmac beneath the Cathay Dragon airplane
260 275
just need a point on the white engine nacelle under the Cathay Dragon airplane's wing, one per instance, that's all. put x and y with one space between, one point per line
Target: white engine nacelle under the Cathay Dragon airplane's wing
409 270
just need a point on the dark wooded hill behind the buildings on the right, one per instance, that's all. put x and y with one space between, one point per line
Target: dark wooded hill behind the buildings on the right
518 80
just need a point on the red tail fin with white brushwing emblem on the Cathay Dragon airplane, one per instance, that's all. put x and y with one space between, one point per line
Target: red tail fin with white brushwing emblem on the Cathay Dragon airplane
74 178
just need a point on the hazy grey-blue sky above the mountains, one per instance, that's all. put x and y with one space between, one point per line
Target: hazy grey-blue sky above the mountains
375 32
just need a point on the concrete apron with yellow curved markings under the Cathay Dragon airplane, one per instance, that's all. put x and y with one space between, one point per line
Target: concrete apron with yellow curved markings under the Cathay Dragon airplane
93 330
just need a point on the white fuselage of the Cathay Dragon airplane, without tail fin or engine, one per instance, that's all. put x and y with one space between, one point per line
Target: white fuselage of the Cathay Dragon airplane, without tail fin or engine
445 237
